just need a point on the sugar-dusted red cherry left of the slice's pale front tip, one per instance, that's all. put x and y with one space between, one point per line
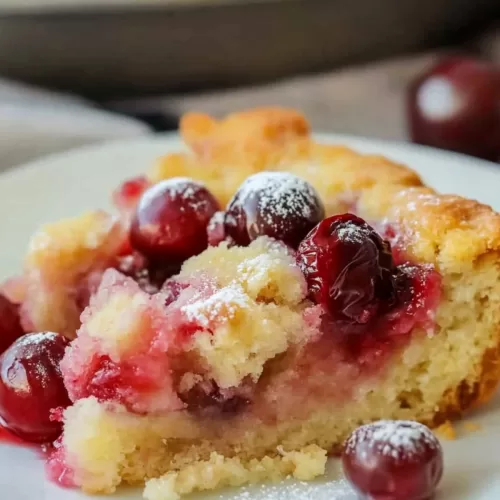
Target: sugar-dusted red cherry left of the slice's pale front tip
31 385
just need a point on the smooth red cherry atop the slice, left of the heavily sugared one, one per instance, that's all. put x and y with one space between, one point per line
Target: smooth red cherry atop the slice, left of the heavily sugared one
171 219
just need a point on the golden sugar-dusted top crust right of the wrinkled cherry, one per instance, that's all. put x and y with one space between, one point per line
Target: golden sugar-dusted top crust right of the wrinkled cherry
447 230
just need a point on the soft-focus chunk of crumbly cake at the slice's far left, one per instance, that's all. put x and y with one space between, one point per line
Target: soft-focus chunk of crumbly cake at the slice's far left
60 256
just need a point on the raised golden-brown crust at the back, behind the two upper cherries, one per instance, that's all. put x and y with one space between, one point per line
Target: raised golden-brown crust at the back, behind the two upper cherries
224 153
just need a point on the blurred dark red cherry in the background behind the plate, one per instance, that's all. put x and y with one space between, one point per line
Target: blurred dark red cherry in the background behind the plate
456 105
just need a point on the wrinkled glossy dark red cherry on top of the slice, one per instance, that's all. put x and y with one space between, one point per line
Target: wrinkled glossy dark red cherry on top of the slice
348 268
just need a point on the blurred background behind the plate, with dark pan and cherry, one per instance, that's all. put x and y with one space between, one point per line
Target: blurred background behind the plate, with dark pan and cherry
81 71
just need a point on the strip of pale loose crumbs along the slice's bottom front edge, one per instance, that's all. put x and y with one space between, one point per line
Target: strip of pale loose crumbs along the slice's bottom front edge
219 471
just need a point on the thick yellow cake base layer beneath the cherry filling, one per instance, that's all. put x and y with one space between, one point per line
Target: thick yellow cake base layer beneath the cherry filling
431 379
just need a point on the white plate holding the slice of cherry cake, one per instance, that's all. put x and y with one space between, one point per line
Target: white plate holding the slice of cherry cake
66 184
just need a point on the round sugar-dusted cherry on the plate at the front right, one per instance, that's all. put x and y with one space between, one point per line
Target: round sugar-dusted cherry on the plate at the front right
393 460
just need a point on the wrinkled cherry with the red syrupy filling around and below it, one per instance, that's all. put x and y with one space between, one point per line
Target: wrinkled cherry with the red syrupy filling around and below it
371 296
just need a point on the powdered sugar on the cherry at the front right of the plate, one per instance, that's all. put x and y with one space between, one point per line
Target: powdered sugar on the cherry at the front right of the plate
399 439
